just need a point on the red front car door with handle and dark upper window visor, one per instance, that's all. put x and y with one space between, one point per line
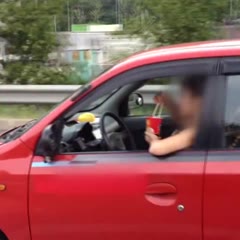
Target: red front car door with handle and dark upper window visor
121 195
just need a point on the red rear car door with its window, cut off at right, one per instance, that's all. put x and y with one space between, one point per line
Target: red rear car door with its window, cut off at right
222 178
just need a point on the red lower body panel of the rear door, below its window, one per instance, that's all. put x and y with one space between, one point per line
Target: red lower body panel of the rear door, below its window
221 196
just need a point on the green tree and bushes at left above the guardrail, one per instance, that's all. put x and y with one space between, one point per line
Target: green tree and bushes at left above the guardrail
28 28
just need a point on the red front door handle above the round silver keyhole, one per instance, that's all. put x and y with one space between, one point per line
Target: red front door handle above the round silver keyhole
161 194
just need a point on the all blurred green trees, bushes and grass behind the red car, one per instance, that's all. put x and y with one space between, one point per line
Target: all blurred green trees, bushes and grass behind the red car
30 28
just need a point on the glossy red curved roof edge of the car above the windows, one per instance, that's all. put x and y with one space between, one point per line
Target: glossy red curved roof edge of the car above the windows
205 49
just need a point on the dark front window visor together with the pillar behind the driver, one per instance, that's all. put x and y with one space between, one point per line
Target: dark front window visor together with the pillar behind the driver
209 66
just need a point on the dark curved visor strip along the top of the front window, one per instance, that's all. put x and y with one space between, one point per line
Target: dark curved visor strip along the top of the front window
165 69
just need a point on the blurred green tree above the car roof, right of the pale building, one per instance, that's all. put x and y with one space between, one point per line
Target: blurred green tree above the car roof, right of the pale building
174 21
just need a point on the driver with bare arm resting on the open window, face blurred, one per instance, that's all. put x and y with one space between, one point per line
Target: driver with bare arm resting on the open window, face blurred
186 114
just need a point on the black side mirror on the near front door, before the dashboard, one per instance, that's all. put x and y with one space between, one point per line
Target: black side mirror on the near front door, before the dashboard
49 143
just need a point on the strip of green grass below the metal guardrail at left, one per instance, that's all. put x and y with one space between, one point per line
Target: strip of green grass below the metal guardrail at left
21 111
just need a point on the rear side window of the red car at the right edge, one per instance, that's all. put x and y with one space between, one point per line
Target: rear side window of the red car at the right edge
232 112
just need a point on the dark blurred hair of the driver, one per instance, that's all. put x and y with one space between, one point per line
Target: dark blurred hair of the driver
195 84
